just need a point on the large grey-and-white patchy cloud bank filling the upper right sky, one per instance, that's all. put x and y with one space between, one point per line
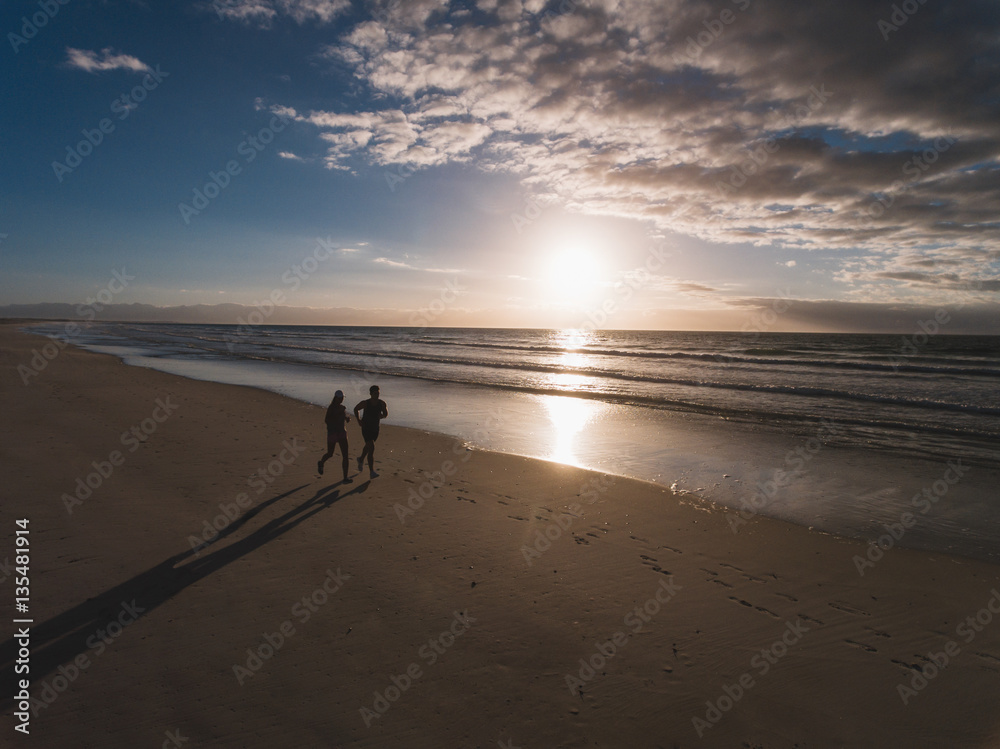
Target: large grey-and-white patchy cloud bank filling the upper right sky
769 122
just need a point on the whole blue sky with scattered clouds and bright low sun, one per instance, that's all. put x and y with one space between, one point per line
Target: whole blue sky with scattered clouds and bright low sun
522 163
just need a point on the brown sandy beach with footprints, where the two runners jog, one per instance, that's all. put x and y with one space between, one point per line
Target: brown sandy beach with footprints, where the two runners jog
191 576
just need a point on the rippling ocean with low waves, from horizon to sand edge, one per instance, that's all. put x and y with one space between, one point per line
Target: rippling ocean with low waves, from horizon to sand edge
862 423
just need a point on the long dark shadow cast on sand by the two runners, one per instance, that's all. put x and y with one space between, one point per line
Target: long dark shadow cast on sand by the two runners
62 638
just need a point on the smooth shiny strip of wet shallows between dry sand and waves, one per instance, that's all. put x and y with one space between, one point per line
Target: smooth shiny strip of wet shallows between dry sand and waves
805 475
